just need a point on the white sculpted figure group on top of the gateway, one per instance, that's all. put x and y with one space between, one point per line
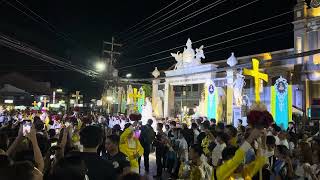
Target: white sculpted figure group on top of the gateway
189 57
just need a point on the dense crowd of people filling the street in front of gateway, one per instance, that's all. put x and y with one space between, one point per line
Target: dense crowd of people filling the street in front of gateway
53 146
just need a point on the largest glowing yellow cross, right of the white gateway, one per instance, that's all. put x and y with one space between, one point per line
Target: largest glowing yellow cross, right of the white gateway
254 72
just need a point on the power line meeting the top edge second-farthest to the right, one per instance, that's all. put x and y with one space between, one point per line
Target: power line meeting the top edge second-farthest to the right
181 20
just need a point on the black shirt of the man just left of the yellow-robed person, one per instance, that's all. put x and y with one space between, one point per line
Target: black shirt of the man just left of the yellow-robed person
119 162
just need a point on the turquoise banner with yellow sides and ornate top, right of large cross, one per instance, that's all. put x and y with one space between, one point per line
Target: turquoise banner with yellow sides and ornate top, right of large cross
281 102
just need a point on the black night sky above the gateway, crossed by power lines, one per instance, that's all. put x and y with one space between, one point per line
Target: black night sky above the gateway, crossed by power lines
79 27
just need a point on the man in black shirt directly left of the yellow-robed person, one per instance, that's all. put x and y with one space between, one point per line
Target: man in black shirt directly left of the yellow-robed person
119 161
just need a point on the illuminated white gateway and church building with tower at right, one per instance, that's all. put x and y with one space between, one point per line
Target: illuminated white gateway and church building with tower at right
299 68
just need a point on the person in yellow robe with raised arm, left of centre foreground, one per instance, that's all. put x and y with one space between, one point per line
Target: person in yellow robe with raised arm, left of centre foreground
131 147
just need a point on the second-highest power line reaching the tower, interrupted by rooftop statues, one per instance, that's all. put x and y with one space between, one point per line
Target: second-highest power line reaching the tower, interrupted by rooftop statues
148 62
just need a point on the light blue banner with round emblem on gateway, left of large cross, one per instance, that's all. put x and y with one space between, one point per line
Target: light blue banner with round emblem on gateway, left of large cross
212 95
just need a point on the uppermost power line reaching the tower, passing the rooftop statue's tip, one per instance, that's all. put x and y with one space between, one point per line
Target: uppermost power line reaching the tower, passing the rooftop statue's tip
216 35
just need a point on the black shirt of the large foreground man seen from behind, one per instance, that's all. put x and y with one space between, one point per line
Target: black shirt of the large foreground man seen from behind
98 168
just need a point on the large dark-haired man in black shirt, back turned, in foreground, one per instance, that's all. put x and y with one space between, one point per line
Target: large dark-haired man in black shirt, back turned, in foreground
90 139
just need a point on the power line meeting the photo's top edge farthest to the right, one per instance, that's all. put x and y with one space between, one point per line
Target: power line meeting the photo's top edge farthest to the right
206 21
